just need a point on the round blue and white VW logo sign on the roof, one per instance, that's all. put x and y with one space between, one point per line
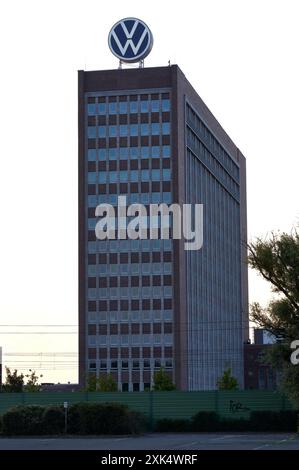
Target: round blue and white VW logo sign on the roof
130 40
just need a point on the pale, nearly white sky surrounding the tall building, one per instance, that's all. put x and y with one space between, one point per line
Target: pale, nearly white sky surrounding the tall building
242 58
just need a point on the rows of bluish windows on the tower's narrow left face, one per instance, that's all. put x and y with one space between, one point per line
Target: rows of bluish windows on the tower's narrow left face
129 285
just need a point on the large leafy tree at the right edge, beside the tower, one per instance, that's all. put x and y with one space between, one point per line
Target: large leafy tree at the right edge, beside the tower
277 260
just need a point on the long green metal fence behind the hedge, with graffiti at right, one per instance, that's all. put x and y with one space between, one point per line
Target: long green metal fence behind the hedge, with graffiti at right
159 405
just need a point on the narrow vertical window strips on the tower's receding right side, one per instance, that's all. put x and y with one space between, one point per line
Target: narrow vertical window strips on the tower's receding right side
214 270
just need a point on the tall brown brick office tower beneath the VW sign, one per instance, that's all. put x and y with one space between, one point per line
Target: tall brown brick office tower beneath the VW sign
145 304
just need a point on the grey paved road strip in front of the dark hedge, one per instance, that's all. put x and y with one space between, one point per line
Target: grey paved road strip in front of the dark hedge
212 441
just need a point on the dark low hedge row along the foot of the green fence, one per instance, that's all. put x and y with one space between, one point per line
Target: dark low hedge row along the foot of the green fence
114 418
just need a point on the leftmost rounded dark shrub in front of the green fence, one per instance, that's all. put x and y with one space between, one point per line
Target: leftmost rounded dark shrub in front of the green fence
23 420
